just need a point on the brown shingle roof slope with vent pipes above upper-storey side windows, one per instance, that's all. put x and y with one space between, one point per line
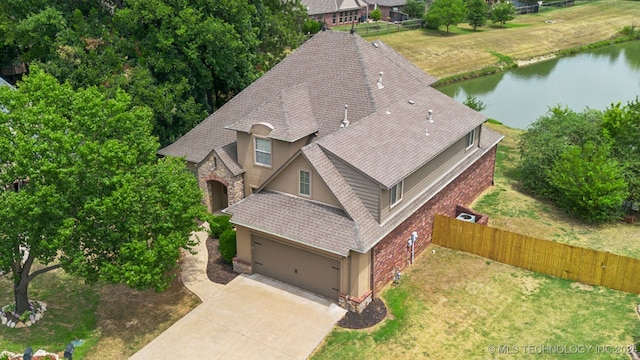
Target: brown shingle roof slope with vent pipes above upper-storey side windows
392 143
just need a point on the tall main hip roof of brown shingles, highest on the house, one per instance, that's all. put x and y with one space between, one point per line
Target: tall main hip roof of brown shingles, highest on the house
333 68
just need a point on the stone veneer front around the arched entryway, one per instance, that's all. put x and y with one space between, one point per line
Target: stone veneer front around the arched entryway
213 169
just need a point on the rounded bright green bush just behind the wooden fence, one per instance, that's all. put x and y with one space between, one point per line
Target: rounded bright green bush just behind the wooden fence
589 183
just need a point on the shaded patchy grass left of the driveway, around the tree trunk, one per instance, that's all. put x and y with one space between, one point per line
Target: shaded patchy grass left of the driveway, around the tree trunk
113 320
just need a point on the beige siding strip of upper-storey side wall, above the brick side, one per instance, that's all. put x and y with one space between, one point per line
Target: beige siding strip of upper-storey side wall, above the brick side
417 182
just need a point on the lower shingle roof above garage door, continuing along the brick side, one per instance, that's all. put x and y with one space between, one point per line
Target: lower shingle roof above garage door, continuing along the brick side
330 229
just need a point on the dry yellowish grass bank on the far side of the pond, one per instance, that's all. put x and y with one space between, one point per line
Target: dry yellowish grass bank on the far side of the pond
527 37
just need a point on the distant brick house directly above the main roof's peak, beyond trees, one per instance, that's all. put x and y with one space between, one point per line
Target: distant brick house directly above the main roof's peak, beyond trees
335 12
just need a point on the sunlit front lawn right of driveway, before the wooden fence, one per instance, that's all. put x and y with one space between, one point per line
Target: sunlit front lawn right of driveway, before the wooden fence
456 305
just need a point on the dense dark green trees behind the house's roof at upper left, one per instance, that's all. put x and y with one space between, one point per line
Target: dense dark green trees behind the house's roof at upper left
181 58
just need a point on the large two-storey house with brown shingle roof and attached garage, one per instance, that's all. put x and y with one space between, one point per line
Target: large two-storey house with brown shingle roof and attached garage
329 164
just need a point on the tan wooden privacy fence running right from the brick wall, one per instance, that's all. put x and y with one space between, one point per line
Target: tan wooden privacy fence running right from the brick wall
587 266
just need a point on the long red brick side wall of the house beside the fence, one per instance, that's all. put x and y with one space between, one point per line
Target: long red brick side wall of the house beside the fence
392 251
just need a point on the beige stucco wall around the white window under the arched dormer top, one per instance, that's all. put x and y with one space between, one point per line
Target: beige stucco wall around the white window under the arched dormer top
256 174
